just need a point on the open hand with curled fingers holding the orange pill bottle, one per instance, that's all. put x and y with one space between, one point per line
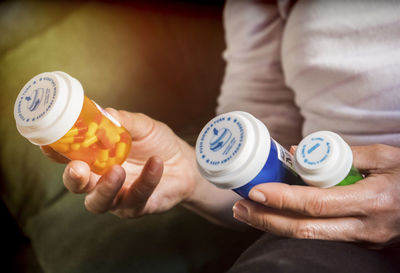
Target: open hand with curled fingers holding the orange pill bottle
158 174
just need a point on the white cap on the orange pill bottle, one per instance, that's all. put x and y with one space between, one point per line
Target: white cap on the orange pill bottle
48 106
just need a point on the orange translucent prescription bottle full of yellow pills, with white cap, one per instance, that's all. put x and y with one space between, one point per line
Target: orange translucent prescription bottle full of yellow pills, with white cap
51 109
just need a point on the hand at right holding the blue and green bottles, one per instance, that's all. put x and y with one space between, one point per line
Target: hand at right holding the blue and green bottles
368 211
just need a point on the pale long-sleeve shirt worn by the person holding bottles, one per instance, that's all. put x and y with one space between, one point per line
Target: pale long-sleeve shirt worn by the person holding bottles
315 65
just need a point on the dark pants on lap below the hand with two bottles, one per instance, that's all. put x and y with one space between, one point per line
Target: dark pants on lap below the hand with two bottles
275 254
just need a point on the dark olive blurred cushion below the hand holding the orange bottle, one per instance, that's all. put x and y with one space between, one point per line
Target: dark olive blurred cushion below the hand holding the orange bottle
68 239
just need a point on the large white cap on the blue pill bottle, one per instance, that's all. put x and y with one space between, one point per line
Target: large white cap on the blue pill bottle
232 149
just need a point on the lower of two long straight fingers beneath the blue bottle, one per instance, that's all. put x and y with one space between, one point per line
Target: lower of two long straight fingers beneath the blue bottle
290 225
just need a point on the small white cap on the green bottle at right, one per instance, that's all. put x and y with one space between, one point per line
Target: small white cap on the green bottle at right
323 159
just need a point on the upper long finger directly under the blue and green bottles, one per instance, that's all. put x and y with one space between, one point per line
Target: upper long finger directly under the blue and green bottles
350 200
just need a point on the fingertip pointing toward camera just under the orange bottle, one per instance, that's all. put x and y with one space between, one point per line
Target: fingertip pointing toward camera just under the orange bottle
78 178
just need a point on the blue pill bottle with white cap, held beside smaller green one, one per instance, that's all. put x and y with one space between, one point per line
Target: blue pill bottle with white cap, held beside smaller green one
235 151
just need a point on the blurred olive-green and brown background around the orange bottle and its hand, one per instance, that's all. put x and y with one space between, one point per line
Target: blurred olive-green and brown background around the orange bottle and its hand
162 58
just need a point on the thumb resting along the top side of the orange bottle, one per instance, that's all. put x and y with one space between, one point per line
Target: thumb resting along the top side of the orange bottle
138 125
